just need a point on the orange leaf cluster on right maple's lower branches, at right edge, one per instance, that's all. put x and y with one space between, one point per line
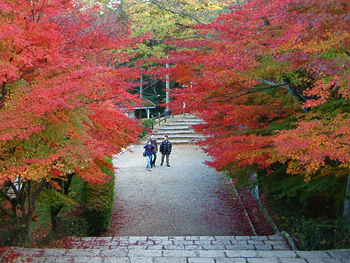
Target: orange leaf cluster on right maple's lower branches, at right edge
316 148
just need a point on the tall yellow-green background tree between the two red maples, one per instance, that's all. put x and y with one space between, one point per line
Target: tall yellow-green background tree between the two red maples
162 20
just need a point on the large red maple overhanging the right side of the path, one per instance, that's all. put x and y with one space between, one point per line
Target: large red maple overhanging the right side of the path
271 80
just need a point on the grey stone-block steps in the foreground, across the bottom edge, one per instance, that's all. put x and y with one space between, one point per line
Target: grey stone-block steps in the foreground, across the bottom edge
180 249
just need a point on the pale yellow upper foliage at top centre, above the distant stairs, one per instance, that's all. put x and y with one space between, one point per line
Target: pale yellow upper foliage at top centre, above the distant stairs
163 19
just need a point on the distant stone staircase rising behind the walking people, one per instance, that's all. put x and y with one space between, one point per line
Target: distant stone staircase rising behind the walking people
178 128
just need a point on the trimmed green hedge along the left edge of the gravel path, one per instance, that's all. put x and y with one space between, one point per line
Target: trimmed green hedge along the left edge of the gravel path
99 204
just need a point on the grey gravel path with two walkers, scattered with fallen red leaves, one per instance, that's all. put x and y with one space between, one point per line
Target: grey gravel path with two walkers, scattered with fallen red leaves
169 201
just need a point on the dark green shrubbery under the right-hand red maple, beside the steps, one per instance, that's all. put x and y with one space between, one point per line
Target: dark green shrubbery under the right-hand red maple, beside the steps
310 212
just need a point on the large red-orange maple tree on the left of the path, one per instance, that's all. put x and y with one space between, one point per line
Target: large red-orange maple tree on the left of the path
64 93
